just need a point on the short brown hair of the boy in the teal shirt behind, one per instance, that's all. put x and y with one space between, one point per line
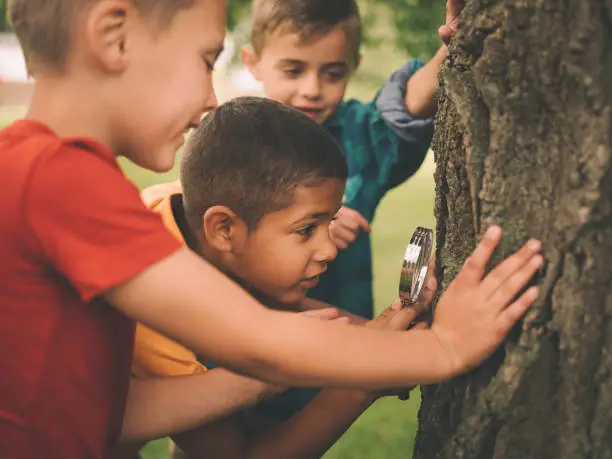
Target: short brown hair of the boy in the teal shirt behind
309 18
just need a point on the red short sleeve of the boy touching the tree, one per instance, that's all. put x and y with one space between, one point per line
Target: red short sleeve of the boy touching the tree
87 222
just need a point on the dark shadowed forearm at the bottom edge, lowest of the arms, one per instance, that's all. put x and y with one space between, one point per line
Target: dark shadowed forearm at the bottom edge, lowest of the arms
311 432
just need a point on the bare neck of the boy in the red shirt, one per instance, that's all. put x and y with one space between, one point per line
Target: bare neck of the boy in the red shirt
70 108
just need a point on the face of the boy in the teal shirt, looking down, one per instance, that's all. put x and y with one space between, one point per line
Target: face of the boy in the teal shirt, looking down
310 77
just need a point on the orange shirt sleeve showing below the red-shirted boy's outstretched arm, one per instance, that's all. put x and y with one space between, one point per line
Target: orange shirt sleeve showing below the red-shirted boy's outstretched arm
157 355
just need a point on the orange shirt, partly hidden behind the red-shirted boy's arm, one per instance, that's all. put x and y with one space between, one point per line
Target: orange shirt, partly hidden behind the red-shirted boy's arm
155 354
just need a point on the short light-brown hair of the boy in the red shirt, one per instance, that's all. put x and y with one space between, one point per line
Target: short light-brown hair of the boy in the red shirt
44 27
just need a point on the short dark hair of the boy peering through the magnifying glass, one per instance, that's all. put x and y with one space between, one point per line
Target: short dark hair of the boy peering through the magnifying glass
250 155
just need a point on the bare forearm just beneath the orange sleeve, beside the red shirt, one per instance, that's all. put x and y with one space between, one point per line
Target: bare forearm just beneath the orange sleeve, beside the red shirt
157 407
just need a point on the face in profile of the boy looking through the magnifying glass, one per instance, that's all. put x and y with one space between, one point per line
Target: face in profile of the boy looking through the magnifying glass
288 250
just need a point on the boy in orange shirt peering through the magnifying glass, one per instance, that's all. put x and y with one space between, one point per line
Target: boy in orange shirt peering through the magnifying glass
258 206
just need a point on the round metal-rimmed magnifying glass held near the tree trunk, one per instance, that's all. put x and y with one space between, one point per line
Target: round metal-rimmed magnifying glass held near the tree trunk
415 265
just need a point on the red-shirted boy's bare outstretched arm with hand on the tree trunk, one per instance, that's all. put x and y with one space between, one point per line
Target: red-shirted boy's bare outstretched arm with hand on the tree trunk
187 299
